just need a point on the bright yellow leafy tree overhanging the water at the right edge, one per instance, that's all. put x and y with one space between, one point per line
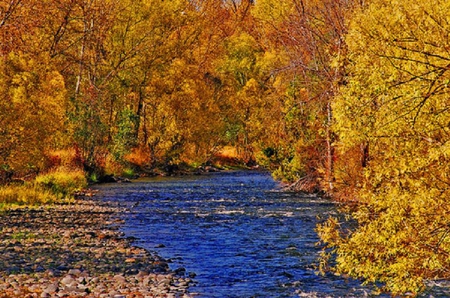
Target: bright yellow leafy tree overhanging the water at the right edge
395 105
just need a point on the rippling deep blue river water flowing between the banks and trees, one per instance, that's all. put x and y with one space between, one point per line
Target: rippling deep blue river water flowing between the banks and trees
238 232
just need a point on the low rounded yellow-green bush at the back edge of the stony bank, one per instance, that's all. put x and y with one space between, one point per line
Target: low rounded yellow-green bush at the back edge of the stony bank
63 181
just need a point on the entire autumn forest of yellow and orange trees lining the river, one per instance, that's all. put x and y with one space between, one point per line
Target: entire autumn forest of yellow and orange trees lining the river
347 98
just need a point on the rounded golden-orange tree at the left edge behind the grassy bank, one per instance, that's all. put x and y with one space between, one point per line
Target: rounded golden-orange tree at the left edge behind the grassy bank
31 111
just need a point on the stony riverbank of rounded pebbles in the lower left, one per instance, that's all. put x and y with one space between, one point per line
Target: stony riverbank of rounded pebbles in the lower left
76 250
